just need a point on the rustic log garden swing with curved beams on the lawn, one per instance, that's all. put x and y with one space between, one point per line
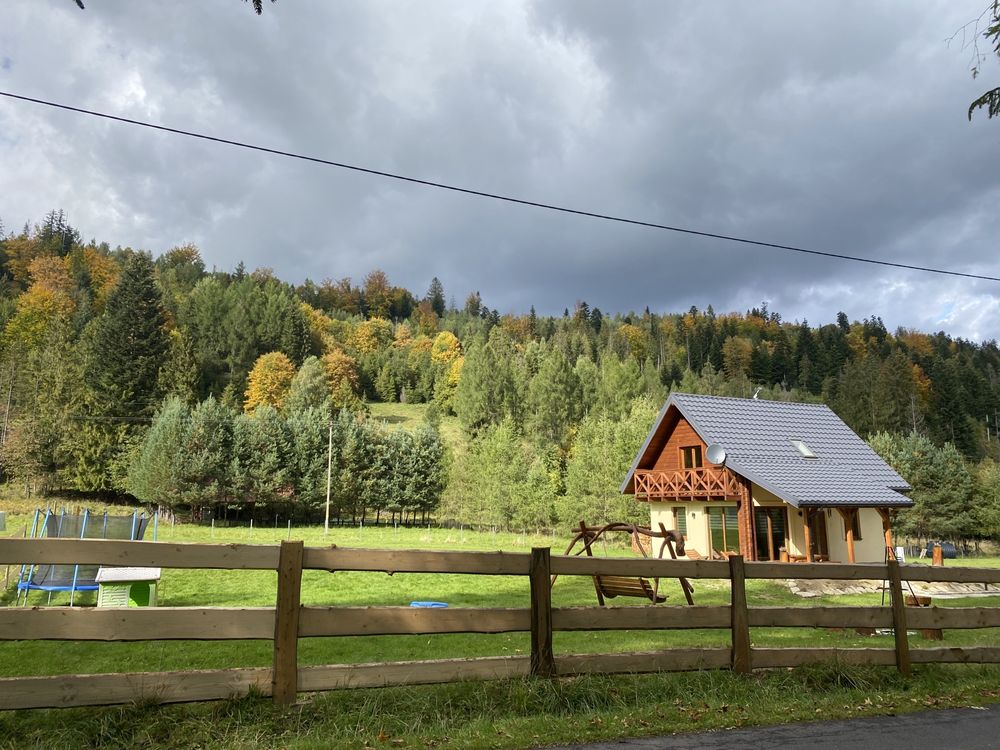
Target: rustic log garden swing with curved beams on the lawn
609 587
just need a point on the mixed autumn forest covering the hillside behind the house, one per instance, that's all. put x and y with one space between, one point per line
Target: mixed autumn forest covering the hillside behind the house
129 374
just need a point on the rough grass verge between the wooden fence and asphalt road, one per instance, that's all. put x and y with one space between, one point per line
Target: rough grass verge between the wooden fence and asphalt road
509 714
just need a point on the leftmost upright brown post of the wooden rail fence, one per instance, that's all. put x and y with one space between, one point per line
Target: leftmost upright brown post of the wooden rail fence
285 677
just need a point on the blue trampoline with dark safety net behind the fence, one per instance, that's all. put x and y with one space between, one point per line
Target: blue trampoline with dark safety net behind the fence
74 578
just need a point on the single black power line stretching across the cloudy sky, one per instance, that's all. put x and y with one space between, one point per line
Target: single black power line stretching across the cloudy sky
499 197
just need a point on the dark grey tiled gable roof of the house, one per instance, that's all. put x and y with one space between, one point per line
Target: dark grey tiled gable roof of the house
757 435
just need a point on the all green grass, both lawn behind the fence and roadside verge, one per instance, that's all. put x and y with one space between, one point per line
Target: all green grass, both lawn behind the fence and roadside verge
509 714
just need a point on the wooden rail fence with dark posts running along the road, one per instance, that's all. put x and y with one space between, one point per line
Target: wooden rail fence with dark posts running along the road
287 621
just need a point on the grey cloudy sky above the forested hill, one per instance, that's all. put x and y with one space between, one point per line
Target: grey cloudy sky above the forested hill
835 126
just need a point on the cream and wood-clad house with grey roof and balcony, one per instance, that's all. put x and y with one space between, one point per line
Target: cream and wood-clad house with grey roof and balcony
766 479
